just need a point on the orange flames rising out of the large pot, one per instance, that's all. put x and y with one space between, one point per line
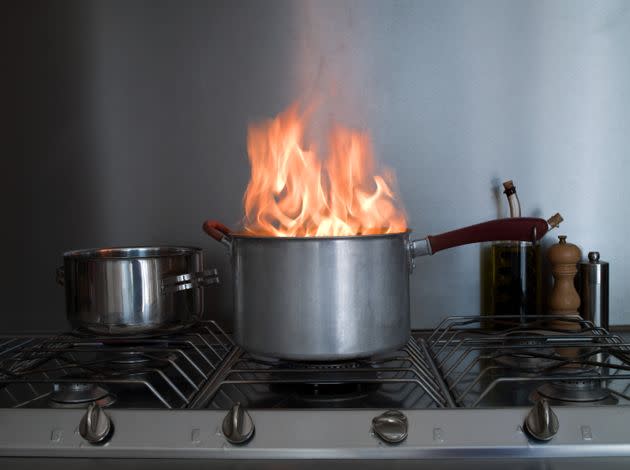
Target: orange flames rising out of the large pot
292 193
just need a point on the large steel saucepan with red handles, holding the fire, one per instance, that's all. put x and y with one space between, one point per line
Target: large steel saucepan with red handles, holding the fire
336 298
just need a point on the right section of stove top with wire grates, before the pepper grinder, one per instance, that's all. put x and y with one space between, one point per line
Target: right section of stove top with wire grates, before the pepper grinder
527 360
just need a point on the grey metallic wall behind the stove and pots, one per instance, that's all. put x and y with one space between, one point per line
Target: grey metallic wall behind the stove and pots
127 124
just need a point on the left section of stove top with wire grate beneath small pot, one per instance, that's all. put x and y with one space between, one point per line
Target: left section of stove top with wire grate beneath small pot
73 370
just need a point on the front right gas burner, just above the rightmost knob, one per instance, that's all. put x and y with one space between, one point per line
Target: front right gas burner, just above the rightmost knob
575 390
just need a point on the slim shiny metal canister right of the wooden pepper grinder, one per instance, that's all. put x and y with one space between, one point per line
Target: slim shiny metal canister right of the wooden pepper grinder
594 290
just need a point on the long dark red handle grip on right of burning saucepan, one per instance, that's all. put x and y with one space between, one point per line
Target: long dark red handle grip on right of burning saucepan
516 228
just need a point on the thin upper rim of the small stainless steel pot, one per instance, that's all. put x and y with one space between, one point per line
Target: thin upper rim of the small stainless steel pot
131 252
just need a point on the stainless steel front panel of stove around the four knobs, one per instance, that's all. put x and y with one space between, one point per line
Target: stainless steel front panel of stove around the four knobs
474 434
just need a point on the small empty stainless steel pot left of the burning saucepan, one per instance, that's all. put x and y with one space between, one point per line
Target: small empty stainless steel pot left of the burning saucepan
135 290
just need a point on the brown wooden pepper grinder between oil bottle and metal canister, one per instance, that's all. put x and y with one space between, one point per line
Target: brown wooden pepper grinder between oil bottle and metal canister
564 298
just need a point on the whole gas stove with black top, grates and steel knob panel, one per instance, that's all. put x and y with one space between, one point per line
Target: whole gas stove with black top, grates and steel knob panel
474 387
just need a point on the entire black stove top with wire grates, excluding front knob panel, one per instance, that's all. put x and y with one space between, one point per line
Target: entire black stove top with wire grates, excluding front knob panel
467 362
